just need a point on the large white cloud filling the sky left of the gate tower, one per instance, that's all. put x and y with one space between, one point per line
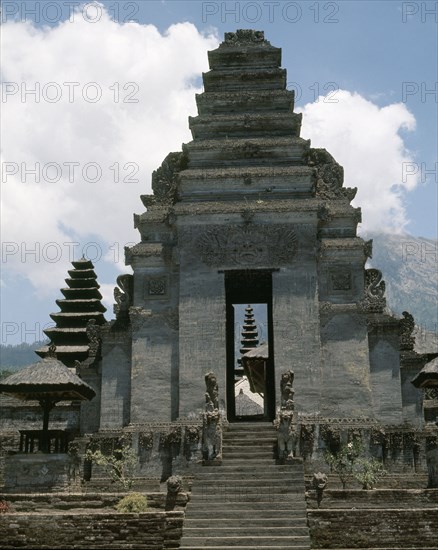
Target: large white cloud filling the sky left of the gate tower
132 60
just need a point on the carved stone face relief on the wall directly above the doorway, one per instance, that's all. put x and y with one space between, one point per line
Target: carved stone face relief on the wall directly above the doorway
247 245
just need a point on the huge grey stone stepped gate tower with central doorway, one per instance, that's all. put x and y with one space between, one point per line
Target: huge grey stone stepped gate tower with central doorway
248 212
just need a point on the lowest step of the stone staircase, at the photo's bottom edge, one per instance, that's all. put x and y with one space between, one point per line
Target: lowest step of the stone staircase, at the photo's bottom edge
250 541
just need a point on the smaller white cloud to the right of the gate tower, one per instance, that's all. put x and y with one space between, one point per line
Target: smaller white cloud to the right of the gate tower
366 140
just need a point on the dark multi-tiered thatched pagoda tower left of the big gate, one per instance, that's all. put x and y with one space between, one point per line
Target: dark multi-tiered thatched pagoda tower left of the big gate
80 305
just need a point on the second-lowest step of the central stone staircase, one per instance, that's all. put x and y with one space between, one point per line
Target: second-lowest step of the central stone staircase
245 531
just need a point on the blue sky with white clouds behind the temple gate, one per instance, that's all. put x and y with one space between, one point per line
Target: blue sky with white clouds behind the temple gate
378 61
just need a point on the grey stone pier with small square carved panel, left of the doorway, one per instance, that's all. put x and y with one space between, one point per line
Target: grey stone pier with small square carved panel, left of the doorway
154 324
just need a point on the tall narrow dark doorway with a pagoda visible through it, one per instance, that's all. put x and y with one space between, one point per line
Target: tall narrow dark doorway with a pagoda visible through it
249 330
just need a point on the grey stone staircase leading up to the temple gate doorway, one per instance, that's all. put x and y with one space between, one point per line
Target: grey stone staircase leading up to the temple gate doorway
249 501
